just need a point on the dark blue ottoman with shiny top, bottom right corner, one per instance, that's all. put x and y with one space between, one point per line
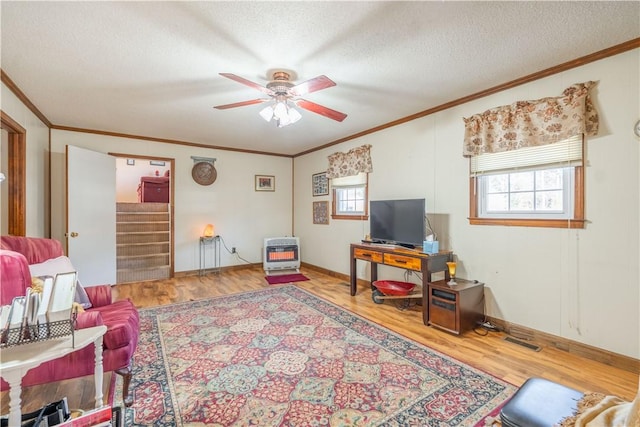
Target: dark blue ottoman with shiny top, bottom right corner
540 403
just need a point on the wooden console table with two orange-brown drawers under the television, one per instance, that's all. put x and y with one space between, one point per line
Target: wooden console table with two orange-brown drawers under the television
408 259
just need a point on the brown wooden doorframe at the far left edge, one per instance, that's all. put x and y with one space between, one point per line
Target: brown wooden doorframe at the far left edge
16 175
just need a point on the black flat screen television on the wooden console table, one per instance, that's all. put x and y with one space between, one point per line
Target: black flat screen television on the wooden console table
399 222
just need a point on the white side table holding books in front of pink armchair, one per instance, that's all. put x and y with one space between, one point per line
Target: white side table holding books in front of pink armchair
16 361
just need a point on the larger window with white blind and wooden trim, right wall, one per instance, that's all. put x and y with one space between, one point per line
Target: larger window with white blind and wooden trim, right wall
535 186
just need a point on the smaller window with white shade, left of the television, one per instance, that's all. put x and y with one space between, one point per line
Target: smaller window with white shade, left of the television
350 197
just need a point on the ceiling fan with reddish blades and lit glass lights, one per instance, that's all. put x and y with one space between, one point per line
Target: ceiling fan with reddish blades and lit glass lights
283 93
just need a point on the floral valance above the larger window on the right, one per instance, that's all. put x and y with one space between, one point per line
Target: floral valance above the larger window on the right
532 123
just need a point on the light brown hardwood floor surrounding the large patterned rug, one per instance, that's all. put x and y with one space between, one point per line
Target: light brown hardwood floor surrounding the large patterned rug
490 353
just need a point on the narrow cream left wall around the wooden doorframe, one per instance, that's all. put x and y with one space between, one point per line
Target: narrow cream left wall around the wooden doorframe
37 174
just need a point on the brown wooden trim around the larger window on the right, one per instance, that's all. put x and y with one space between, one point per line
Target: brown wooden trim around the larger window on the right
577 221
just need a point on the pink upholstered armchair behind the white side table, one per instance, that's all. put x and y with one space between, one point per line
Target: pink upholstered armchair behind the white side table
17 254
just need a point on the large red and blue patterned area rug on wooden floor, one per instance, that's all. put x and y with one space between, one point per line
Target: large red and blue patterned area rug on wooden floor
283 357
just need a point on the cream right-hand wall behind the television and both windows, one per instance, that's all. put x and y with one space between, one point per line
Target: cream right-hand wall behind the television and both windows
579 284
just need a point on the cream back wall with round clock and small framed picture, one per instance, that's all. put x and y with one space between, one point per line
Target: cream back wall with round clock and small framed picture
242 216
